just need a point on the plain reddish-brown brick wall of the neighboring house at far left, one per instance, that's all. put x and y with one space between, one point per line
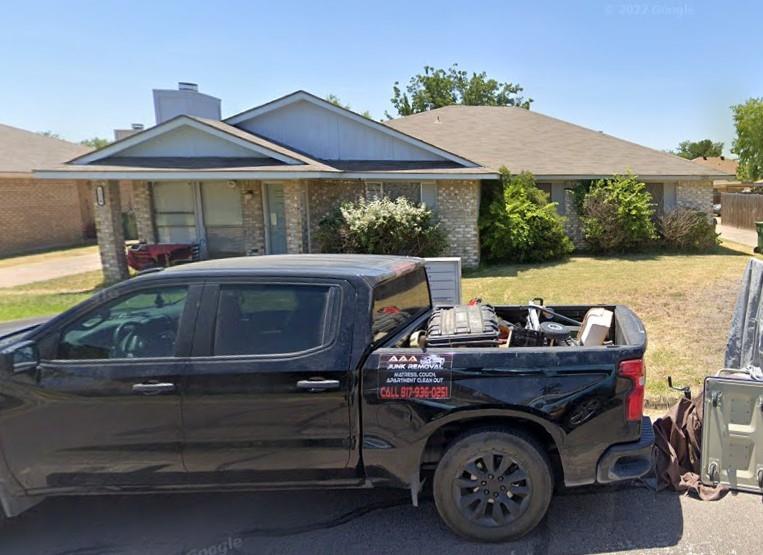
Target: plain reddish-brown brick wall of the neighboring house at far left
37 214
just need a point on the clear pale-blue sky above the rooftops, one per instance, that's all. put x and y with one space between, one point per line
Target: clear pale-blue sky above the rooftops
655 72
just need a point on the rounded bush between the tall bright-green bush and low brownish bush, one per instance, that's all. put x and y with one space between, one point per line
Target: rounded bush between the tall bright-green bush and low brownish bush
618 215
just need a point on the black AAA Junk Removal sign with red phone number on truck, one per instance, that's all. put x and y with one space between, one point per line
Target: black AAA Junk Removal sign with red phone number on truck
415 376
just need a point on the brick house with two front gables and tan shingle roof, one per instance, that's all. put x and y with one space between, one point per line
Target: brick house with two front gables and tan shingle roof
259 182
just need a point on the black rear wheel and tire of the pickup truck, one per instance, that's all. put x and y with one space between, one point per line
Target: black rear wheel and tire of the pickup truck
499 503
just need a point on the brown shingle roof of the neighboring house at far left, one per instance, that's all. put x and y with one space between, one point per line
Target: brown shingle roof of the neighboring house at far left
22 151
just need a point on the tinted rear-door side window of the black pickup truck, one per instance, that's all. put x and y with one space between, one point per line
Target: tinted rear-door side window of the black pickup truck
267 319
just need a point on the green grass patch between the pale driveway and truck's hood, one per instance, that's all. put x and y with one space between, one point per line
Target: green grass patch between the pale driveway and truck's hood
47 297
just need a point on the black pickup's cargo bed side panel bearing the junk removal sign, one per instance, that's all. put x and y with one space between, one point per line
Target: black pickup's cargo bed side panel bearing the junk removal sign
573 394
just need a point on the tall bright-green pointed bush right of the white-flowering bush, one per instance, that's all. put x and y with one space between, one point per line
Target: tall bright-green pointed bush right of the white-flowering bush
521 225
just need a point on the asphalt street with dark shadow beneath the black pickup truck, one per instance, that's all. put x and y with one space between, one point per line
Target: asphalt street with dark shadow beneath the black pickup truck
375 521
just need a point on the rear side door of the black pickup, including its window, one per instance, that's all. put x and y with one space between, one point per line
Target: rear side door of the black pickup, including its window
267 396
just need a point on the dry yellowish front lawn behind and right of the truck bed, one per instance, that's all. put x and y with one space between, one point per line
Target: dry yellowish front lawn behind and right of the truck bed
685 302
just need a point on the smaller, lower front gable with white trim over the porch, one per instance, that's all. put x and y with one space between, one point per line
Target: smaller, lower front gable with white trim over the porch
192 137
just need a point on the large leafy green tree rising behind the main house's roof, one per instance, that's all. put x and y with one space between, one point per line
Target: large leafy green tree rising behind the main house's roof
441 87
